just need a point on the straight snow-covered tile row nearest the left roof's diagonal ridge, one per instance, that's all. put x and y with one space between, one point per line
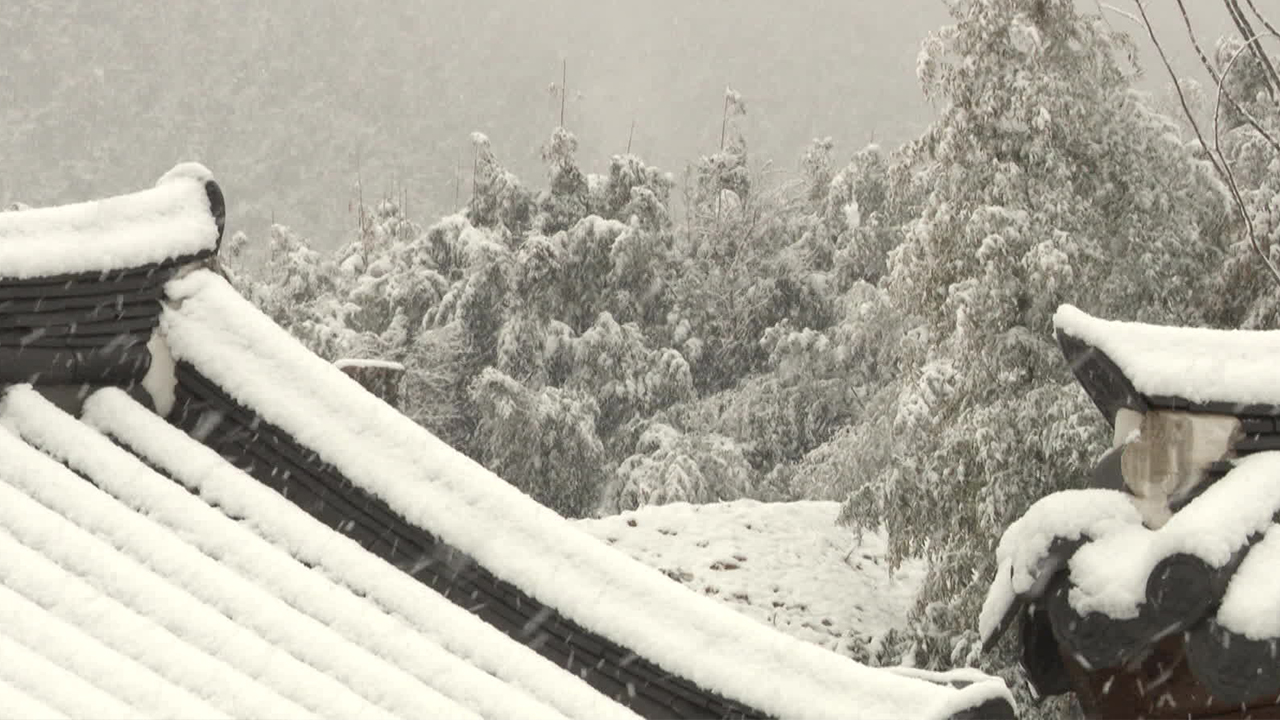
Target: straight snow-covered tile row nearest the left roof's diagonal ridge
345 562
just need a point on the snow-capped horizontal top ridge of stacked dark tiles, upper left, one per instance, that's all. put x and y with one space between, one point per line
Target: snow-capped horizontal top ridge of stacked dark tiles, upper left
81 285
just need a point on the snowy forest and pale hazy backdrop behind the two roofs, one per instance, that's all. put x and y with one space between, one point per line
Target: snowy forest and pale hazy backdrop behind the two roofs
625 293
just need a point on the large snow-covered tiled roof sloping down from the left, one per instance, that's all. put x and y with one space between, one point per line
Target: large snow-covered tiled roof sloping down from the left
230 526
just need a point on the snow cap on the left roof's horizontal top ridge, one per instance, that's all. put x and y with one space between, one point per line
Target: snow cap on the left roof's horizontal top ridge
170 221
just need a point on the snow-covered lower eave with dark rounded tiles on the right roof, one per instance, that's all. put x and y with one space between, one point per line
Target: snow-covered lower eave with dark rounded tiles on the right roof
1121 587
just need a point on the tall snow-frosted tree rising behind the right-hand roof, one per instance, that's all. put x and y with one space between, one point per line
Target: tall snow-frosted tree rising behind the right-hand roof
1044 181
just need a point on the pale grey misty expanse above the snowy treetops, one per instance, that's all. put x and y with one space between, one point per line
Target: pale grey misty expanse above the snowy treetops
282 99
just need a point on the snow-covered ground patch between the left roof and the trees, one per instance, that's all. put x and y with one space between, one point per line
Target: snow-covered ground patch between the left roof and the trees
785 564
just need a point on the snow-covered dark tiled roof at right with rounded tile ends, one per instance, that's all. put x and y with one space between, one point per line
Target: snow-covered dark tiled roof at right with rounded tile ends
1104 593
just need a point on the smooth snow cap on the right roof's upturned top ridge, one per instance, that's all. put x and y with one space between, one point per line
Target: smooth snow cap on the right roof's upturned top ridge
1197 364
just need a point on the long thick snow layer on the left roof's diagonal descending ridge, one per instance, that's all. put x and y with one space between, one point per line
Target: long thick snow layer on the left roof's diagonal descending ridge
436 487
